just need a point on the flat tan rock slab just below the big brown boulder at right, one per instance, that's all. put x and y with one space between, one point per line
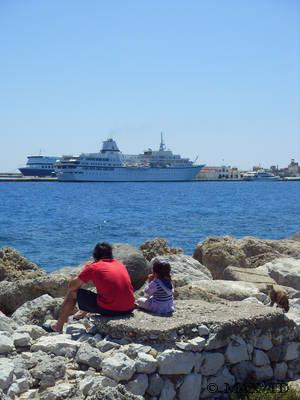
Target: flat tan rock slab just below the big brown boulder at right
253 275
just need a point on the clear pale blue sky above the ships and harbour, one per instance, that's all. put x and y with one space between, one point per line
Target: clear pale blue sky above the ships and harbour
220 78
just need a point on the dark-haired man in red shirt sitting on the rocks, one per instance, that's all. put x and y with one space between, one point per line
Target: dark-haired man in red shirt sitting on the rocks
114 296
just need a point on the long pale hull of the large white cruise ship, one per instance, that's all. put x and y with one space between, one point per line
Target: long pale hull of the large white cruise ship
126 174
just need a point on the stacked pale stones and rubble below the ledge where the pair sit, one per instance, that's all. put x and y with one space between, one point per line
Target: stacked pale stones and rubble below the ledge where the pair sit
78 365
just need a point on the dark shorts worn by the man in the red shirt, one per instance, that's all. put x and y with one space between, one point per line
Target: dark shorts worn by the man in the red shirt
87 301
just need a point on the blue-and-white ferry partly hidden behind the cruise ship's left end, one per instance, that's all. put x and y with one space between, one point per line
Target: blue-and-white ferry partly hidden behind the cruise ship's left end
39 166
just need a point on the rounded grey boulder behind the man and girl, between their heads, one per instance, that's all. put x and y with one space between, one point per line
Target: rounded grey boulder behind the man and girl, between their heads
137 266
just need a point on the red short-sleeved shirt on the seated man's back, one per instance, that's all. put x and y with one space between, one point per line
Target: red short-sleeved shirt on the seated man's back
113 284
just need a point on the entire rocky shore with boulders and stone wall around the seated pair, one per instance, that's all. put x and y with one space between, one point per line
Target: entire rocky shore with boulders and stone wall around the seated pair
222 335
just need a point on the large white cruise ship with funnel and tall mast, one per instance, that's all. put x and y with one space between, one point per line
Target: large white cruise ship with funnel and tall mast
110 165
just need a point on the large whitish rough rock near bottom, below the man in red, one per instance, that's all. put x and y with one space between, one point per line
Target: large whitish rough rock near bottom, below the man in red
118 367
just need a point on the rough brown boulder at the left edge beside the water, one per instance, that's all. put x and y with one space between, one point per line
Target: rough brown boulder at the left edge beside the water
13 266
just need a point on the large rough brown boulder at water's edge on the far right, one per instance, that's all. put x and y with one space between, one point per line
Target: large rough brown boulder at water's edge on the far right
217 253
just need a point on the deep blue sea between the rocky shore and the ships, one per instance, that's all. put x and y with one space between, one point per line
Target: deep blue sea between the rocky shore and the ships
58 224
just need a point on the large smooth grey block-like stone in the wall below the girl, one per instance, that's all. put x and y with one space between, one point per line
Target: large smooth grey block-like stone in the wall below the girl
175 362
